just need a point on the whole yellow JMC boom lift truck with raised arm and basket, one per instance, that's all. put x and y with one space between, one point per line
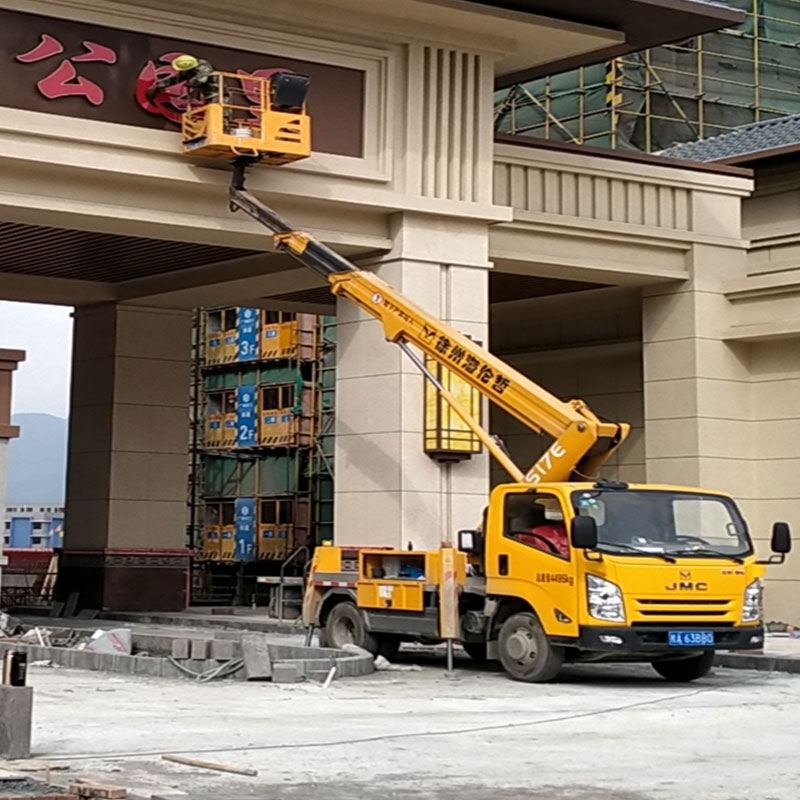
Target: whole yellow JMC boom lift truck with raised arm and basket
654 573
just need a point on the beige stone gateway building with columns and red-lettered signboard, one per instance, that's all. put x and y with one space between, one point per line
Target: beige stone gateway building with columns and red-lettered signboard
598 275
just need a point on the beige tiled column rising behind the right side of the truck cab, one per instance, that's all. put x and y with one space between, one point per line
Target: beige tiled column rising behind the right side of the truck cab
696 385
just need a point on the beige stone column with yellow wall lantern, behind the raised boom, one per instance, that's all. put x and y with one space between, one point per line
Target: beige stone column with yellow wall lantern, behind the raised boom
388 491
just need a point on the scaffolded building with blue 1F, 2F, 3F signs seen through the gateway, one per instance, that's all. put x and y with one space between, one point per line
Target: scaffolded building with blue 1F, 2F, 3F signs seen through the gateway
261 472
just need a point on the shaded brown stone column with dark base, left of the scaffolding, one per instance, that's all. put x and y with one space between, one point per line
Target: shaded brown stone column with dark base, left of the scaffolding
125 524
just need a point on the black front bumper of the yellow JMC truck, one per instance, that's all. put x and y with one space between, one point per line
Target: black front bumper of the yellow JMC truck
653 638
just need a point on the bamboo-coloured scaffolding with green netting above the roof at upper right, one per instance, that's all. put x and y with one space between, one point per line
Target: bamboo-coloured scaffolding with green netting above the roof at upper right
693 89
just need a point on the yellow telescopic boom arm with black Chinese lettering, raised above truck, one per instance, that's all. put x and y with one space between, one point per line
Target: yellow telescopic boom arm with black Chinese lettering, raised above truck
583 442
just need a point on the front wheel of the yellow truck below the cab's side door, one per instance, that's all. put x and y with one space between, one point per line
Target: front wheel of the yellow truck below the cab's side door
525 651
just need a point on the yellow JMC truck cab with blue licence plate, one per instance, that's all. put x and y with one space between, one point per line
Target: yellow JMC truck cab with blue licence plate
656 573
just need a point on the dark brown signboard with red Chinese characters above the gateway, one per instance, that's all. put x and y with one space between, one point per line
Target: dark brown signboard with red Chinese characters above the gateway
93 72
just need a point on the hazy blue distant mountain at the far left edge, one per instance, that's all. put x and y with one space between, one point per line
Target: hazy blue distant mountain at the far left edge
37 460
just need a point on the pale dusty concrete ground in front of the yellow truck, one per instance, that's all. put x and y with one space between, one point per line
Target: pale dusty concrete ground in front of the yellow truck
601 732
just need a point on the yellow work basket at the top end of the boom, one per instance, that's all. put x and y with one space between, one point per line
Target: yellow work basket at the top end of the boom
250 116
